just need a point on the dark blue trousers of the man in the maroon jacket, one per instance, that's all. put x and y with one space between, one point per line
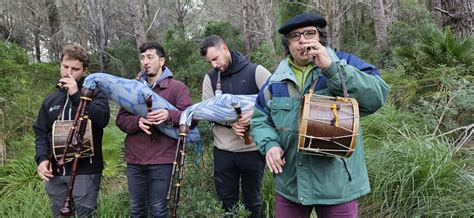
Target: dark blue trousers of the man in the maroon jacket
148 186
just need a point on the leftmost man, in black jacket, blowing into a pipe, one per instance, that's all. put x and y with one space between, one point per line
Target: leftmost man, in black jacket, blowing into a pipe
62 105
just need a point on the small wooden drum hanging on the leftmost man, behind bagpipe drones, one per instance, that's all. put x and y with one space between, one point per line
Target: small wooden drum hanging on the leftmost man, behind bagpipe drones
59 138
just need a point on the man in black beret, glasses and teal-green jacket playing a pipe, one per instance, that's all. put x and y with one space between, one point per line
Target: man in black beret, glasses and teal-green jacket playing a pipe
303 181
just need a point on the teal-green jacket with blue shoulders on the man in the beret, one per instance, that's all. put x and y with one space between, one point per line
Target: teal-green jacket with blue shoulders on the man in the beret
310 179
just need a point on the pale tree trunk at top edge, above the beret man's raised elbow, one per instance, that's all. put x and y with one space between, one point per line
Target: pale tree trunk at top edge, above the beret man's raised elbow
381 32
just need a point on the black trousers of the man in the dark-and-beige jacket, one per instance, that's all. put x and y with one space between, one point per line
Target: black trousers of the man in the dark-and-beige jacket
234 169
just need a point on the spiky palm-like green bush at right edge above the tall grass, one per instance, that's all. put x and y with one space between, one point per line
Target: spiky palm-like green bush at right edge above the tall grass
435 76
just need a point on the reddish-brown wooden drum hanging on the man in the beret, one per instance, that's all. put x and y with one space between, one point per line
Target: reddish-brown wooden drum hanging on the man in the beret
329 126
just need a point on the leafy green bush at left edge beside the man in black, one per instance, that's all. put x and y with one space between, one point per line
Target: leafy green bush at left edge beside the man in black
22 89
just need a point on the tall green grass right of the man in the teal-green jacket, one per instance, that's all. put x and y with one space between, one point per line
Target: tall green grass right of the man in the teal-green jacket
413 174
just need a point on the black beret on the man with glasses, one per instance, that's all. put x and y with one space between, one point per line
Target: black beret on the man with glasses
302 20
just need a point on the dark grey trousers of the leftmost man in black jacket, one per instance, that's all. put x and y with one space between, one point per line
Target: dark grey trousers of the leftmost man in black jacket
84 194
